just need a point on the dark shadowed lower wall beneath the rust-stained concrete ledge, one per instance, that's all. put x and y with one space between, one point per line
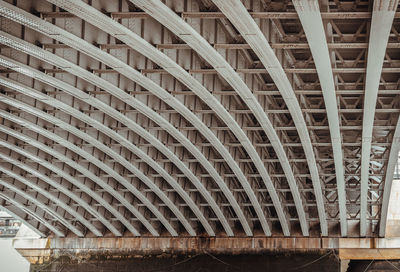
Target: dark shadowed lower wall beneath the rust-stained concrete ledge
311 261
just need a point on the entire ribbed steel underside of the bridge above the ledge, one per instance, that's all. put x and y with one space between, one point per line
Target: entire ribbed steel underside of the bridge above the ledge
199 117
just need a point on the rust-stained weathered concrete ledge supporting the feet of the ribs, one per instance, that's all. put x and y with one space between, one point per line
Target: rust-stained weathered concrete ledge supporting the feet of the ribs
44 250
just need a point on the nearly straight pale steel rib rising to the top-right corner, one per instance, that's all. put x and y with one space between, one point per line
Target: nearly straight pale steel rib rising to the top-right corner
382 19
